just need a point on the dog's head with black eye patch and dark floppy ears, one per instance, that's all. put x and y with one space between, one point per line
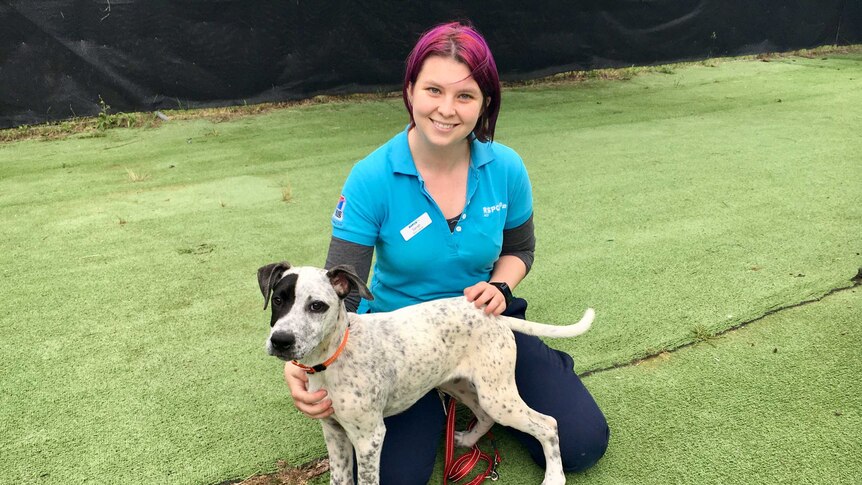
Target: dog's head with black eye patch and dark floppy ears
306 303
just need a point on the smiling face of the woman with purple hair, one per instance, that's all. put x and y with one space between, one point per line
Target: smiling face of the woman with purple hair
446 101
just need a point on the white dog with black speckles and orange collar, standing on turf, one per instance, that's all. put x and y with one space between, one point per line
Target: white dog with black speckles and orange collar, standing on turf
379 364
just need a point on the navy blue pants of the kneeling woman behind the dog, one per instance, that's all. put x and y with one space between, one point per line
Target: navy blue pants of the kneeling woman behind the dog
546 381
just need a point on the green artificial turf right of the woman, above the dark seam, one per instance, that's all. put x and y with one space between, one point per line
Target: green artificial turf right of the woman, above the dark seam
693 200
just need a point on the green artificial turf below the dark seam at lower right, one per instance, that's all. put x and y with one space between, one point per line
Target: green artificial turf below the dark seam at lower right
778 401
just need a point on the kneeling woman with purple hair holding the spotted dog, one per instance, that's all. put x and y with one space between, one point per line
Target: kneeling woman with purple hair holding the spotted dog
449 212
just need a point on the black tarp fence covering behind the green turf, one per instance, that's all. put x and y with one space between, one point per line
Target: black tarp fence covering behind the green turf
57 57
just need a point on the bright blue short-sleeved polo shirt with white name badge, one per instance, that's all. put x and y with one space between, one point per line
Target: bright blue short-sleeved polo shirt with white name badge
384 204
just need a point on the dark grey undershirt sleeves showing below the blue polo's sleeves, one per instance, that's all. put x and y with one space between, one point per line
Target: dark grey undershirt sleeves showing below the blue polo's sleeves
519 241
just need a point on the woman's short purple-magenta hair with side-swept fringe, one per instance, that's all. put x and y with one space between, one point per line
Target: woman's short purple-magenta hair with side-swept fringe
464 44
